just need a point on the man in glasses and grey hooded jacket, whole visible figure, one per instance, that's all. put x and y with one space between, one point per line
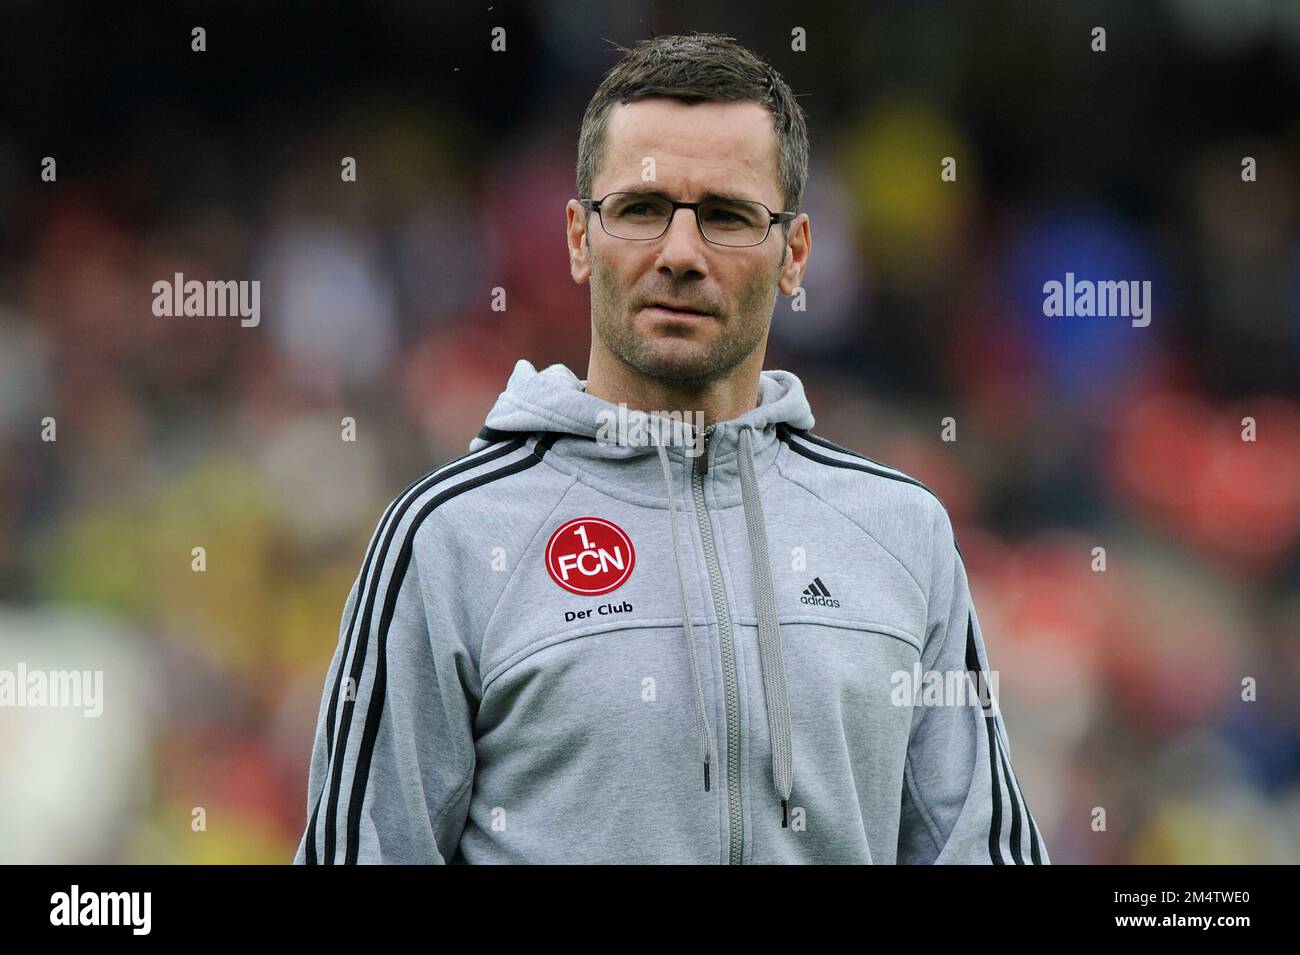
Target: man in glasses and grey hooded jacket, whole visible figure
651 618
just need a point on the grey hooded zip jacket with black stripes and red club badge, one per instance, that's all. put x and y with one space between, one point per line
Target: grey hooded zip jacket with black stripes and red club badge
582 645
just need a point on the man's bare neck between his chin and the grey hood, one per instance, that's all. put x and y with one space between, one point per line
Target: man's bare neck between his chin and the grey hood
718 401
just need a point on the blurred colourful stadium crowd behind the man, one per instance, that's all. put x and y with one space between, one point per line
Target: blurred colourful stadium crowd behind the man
1123 691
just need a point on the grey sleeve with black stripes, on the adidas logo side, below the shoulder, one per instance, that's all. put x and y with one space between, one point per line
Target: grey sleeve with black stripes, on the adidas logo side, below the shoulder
961 801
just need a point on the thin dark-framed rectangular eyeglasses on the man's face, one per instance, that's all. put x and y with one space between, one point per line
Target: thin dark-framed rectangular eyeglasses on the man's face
643 216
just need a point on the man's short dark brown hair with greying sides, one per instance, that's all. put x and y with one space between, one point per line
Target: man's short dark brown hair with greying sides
700 68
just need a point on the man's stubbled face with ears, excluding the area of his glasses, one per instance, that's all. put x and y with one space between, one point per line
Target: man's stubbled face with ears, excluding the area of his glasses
727 149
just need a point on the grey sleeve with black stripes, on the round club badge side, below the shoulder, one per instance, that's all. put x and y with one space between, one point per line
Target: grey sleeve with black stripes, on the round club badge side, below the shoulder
393 758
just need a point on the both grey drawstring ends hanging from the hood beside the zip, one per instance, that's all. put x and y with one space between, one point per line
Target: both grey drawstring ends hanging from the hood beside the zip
769 631
